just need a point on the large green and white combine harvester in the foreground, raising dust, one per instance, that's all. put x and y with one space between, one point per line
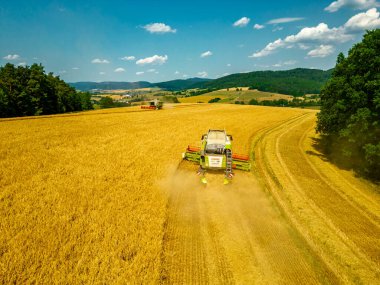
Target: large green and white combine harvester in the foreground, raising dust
215 153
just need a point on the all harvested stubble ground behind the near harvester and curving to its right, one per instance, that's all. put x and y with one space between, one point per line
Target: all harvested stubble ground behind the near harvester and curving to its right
287 223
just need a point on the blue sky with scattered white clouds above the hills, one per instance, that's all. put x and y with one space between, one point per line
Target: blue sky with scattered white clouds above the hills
156 41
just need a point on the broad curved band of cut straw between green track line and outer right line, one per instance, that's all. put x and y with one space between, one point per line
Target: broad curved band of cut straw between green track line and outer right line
297 189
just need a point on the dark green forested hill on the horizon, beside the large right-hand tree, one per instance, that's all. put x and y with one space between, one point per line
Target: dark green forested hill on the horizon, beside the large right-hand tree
296 82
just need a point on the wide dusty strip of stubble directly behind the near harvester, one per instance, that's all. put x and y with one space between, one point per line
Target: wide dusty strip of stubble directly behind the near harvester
233 235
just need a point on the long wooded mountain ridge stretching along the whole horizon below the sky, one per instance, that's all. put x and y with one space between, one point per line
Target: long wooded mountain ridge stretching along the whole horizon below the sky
297 82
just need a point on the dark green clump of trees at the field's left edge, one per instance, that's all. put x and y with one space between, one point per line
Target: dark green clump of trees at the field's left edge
28 91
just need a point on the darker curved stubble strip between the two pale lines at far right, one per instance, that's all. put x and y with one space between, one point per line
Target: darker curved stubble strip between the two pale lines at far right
344 215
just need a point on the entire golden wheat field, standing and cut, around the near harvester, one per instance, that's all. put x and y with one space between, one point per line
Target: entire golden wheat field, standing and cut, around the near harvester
102 197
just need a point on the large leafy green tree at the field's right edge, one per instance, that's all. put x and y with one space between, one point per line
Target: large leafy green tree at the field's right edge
350 112
